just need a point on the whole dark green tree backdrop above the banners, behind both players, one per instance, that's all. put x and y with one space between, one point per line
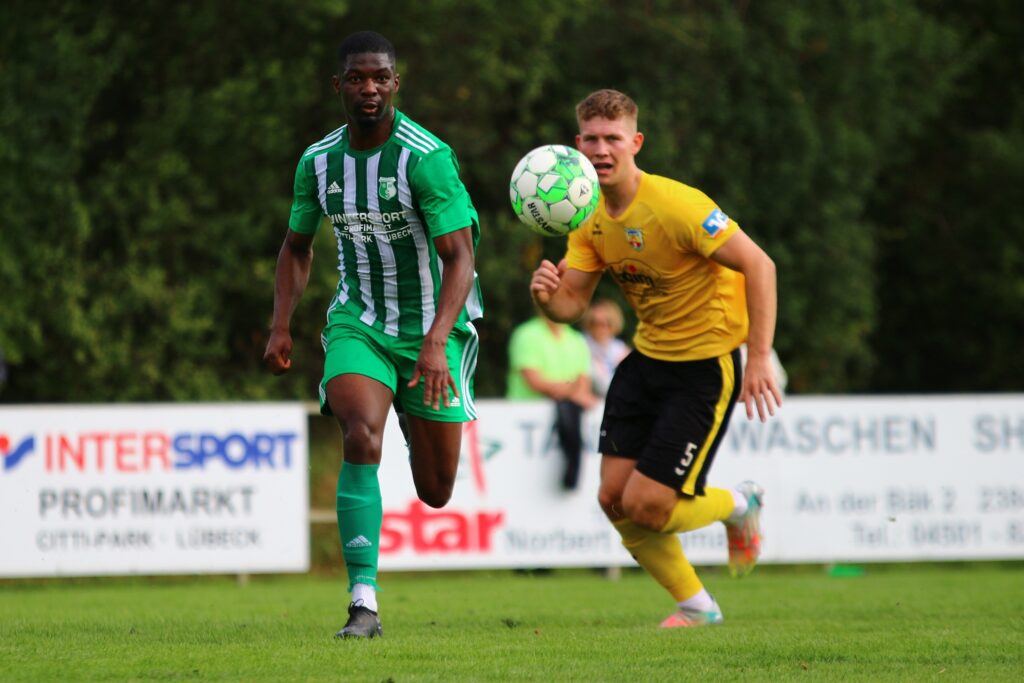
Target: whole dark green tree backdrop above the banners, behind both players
147 153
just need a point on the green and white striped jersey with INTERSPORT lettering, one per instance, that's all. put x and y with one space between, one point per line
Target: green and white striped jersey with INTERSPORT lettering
387 206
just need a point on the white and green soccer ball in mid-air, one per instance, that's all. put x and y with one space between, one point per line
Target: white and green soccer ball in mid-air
554 190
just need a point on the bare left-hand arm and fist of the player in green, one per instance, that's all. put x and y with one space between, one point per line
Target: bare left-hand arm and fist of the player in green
294 263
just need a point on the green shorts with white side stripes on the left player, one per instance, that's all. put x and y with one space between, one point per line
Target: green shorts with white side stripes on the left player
352 348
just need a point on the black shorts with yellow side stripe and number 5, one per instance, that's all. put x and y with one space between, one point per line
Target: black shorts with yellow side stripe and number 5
670 416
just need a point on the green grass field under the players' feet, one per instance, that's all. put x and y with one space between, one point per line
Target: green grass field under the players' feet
907 624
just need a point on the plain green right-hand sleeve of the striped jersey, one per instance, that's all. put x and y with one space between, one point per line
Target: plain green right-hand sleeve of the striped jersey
442 197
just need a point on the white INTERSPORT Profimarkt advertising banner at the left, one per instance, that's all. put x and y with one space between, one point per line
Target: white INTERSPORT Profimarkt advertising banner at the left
154 489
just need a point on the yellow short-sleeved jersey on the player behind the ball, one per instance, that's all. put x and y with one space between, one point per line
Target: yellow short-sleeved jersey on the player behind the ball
689 307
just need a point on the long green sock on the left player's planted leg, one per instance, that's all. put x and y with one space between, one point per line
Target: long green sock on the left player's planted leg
360 517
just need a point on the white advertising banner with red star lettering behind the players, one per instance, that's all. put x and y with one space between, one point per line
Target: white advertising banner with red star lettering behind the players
847 480
